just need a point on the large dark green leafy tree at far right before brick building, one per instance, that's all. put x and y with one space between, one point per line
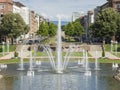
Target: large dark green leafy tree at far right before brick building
106 24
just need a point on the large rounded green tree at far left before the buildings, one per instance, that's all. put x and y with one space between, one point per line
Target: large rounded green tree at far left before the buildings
13 26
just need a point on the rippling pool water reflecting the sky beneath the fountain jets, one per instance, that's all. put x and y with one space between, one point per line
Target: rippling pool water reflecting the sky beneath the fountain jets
72 79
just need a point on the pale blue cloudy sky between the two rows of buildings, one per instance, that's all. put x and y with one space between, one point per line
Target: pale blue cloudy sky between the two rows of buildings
52 8
